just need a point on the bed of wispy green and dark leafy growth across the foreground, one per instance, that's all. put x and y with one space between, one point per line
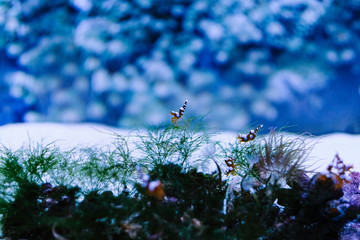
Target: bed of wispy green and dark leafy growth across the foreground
93 193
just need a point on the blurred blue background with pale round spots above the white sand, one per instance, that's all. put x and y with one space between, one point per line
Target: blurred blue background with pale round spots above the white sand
128 63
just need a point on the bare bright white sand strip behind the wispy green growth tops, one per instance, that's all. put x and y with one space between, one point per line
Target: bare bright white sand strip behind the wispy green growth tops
67 136
